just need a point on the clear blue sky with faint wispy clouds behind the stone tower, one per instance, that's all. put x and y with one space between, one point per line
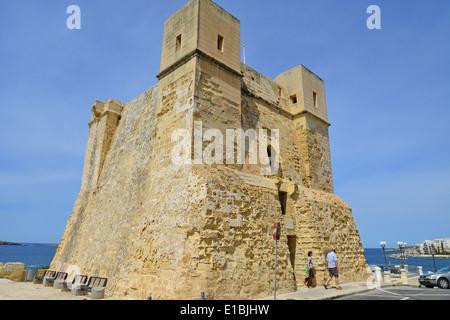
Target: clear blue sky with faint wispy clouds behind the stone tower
388 99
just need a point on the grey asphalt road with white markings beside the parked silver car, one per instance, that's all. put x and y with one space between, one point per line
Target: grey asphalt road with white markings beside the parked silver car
401 293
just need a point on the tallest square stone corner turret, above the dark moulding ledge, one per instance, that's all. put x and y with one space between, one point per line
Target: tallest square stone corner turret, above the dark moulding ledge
202 25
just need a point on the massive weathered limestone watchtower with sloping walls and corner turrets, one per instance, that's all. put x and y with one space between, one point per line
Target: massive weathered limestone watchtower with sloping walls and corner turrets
158 228
